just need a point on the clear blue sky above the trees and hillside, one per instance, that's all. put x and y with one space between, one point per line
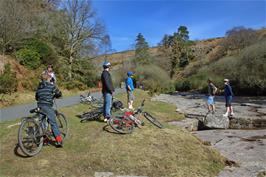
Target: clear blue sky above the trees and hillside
124 19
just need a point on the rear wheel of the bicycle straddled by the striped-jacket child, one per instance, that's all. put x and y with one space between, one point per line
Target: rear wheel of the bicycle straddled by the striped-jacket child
30 137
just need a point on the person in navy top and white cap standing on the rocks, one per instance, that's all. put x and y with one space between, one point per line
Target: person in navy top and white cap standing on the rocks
228 94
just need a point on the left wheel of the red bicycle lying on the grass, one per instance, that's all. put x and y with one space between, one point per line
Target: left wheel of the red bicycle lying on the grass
121 125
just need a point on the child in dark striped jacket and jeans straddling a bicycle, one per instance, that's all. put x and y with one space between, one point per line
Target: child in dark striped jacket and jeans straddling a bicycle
45 94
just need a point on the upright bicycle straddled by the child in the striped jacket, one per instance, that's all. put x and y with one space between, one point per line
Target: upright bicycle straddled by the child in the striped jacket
35 130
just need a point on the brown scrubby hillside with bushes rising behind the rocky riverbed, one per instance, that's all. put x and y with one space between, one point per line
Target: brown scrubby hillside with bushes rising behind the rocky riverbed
230 57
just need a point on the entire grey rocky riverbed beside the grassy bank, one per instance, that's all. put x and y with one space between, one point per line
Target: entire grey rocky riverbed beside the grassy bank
241 139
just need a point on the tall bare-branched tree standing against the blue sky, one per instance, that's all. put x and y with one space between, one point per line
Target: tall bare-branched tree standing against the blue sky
84 31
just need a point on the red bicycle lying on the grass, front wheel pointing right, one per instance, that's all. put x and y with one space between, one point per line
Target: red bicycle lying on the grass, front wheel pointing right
126 122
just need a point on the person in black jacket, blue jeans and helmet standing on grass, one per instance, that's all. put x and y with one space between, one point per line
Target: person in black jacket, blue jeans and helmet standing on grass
107 90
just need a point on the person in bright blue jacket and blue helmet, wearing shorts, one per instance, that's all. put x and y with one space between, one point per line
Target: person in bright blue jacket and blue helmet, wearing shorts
130 88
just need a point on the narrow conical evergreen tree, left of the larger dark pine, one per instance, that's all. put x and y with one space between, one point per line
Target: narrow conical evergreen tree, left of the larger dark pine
142 55
